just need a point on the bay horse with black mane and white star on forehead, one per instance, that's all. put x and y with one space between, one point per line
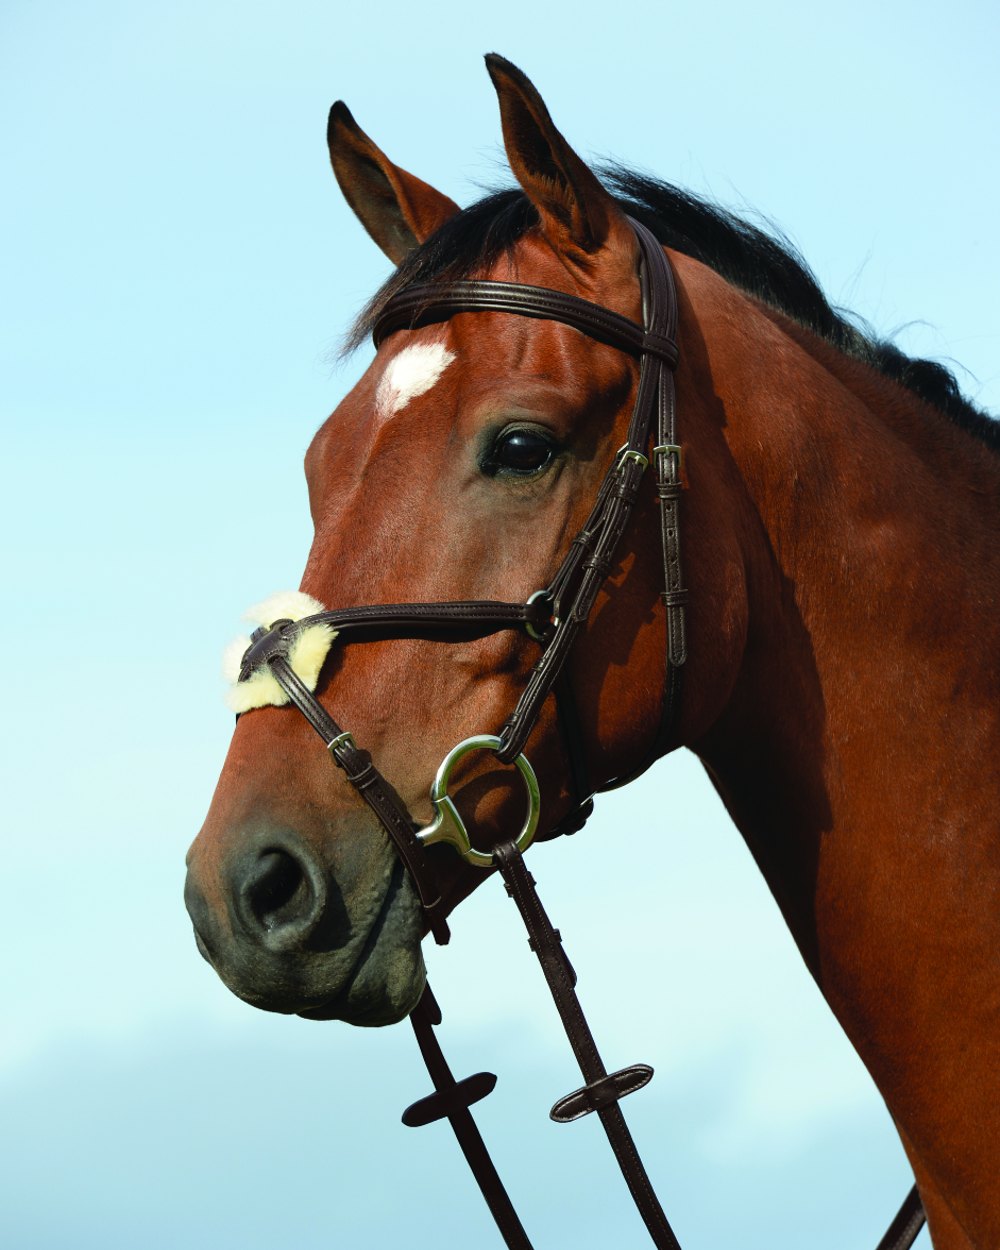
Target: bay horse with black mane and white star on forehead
842 571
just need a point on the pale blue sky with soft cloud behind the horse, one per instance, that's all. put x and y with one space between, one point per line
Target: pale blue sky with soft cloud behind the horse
177 268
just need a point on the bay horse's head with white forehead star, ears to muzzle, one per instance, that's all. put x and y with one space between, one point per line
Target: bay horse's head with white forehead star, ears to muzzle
459 468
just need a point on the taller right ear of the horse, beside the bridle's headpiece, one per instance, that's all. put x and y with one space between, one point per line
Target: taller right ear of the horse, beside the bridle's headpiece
577 212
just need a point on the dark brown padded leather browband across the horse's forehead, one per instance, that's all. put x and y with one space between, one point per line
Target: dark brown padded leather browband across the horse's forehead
431 303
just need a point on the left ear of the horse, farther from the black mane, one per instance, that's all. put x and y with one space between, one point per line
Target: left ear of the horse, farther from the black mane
398 209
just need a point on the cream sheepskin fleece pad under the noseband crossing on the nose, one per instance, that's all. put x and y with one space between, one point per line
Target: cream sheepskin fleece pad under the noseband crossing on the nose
307 653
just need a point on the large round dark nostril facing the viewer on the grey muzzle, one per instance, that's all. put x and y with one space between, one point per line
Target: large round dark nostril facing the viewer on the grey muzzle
281 897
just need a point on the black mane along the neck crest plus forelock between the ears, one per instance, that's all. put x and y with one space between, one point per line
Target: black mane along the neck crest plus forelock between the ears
764 266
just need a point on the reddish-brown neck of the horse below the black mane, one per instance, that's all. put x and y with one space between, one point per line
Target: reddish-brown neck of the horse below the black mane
858 746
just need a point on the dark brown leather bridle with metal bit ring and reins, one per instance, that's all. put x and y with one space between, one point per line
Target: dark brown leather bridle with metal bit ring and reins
553 617
